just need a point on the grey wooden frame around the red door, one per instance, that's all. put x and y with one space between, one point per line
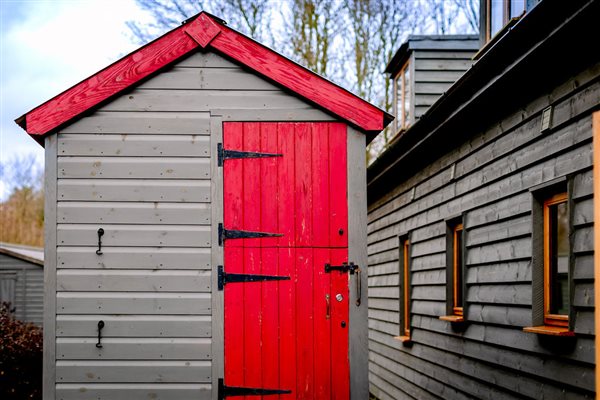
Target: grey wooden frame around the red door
357 252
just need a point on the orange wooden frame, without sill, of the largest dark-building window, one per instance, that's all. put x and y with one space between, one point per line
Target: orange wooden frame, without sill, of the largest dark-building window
551 319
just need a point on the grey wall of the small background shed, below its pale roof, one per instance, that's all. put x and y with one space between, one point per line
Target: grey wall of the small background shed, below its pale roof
26 281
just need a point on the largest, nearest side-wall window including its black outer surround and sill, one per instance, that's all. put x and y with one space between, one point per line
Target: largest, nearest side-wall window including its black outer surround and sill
551 261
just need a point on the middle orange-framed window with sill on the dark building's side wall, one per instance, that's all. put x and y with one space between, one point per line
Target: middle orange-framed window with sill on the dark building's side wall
455 273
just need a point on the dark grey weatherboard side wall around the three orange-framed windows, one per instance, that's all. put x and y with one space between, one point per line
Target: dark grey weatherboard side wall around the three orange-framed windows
487 180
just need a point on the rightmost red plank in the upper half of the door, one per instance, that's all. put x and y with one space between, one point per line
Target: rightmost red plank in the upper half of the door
338 188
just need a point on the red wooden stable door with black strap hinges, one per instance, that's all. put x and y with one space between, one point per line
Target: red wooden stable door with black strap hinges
288 334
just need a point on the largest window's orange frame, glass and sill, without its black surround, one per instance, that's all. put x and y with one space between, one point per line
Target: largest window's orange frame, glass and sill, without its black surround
556 276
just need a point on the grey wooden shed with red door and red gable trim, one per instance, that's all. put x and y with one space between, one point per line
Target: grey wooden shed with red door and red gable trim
205 225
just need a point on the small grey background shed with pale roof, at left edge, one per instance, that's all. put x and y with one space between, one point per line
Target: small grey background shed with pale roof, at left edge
22 281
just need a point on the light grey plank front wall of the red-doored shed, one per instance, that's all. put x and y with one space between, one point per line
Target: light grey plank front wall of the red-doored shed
139 167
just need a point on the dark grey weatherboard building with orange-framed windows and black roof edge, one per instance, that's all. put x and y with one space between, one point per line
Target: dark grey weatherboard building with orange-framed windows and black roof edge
480 221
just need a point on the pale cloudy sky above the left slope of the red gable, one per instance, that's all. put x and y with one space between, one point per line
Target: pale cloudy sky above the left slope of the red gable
47 46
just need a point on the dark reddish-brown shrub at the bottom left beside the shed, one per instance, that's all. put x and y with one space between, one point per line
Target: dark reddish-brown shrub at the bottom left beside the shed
20 358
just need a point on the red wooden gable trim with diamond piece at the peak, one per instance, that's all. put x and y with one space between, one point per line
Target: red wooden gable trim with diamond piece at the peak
205 32
